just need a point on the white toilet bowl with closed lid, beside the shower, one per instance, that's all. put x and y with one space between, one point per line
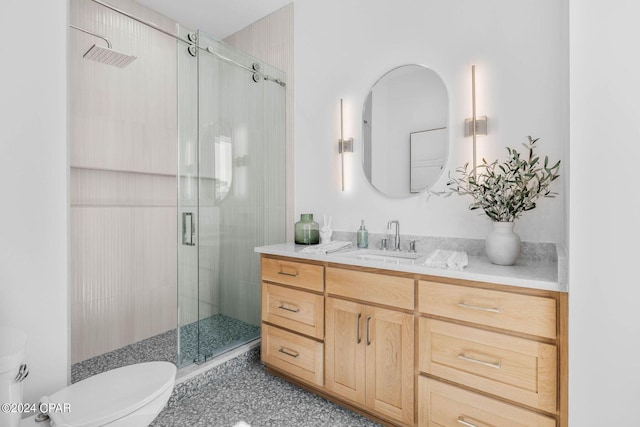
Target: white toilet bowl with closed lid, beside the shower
111 395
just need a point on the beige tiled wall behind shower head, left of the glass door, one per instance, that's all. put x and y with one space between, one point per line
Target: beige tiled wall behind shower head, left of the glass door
123 130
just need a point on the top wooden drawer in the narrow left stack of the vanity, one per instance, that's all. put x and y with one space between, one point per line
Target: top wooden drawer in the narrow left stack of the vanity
299 274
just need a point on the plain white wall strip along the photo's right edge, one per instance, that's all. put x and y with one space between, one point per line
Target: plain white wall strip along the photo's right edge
604 320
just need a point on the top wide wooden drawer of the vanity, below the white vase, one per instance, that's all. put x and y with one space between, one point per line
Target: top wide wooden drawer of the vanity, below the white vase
520 313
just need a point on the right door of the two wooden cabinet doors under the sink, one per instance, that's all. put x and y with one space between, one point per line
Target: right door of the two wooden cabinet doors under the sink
389 343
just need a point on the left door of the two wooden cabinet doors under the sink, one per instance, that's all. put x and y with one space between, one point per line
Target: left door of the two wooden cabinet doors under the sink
345 349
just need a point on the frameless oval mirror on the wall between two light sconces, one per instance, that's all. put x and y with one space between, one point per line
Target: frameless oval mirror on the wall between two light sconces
405 131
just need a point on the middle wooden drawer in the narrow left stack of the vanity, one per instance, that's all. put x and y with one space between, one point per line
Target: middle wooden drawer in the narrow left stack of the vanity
299 311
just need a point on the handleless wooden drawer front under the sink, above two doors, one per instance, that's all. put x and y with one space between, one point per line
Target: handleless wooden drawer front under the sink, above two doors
371 287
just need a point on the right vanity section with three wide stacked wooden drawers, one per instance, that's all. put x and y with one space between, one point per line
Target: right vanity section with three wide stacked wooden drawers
501 353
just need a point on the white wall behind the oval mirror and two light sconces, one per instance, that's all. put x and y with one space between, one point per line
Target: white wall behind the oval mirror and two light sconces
343 47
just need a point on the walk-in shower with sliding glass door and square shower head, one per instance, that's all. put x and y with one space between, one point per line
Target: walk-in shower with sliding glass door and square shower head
177 171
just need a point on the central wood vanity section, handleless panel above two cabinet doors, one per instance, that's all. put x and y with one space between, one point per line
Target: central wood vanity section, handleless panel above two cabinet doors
369 350
